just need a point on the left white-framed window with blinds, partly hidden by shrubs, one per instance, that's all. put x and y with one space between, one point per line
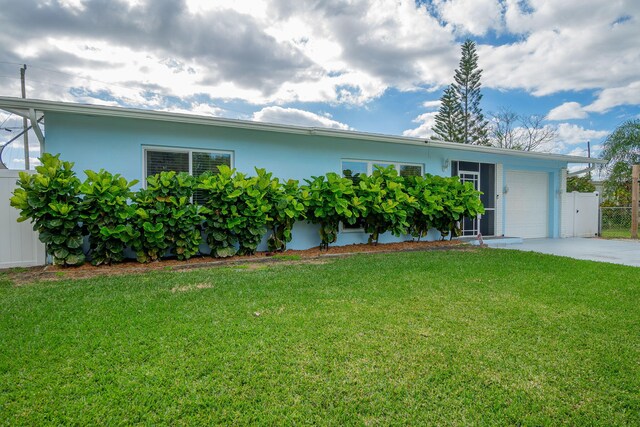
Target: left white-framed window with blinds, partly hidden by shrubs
194 162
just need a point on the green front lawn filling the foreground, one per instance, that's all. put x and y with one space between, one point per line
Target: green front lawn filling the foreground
482 337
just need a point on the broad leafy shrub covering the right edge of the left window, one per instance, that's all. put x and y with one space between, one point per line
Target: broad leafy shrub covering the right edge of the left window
237 210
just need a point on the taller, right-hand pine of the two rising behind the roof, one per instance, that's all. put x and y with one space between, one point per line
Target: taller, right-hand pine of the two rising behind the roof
467 86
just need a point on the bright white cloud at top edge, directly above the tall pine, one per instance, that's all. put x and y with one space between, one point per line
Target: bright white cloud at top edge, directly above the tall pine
471 16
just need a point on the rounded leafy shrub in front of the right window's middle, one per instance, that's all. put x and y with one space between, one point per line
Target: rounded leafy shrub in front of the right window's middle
383 203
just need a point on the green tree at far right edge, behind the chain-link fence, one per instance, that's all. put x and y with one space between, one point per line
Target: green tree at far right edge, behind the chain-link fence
621 150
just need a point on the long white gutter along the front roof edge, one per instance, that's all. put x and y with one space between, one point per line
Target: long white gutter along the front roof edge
21 107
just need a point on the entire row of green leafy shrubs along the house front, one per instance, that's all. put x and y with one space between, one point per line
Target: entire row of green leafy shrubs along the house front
234 213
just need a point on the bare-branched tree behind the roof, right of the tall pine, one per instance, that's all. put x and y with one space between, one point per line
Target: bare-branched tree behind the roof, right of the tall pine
508 129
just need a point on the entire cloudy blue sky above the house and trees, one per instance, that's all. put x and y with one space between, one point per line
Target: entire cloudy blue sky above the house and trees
368 65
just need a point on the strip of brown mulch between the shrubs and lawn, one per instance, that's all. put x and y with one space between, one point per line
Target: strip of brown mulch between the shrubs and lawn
20 276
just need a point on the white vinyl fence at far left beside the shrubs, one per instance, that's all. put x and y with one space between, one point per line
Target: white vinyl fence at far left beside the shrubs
19 244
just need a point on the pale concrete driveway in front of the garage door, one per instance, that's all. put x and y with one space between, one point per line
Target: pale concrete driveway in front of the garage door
626 252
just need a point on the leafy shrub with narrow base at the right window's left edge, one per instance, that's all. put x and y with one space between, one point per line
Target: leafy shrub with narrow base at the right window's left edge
330 201
